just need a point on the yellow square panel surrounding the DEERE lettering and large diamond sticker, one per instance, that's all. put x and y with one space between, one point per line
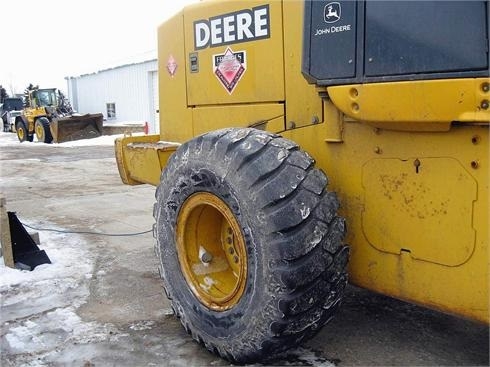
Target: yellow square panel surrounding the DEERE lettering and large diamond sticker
257 85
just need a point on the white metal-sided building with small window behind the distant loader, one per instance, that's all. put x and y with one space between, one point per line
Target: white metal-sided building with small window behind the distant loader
127 93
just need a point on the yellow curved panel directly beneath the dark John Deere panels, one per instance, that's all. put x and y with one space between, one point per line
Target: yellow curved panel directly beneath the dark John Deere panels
418 106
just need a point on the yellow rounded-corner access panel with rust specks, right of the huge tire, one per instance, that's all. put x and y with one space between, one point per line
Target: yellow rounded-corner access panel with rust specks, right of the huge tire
394 188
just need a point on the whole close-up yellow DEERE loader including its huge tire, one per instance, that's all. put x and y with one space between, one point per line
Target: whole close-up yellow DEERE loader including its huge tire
260 102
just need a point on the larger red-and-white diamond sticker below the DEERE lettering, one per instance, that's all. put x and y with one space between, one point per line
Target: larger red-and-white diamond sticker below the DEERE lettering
229 68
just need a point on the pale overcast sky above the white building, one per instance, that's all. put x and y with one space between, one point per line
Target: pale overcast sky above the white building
44 41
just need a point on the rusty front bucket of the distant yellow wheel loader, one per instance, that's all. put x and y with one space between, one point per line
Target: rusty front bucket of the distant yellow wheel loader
76 127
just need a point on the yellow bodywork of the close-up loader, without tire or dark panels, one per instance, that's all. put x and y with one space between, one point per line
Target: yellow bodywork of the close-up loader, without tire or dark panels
409 162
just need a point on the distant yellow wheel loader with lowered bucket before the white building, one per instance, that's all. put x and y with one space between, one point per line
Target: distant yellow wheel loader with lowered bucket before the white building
44 117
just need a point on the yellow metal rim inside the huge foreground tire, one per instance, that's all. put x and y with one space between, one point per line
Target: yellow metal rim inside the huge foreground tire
211 251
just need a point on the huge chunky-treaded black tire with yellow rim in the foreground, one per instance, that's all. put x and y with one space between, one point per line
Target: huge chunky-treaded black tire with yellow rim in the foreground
250 244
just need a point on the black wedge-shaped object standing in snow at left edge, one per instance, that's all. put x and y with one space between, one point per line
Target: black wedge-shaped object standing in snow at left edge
25 250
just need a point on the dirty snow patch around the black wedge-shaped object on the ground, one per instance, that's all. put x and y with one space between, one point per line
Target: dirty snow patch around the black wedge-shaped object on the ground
39 307
